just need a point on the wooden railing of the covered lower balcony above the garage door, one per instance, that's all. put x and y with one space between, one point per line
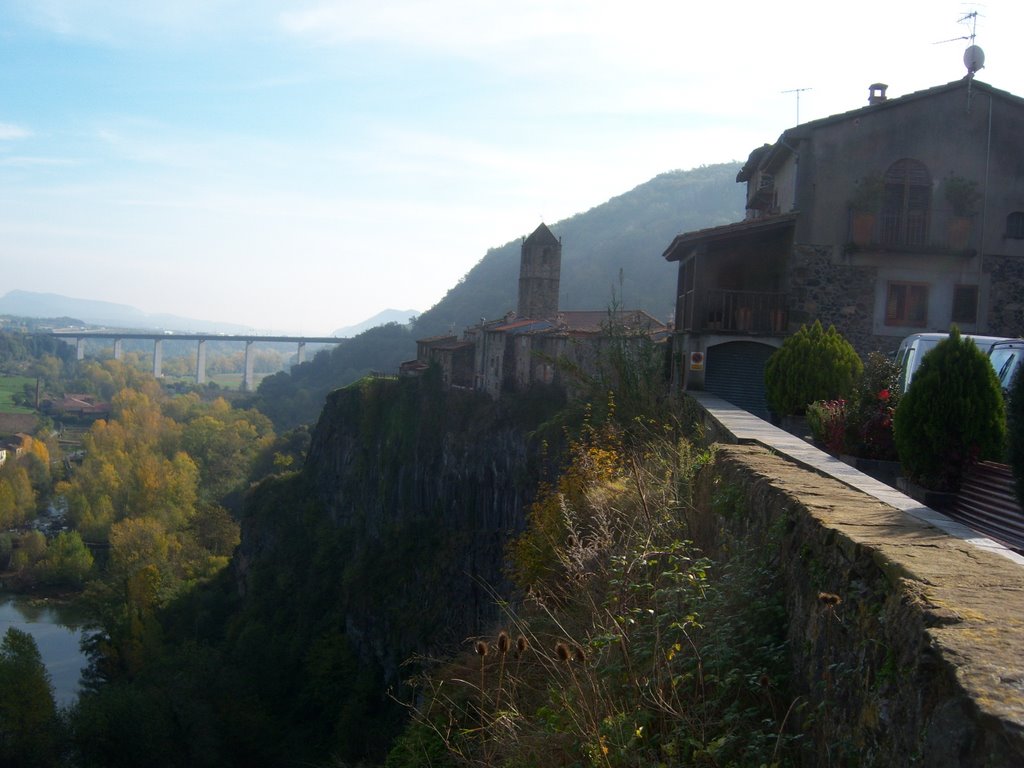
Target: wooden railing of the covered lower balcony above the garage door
735 312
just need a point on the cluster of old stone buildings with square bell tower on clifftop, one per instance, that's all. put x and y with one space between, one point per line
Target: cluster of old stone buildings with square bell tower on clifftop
539 344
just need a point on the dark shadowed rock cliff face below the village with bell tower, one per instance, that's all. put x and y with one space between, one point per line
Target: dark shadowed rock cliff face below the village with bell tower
399 522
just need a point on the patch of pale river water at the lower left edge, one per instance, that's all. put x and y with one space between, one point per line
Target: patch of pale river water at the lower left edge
58 630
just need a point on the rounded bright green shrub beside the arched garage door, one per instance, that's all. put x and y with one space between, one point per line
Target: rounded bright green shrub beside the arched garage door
812 365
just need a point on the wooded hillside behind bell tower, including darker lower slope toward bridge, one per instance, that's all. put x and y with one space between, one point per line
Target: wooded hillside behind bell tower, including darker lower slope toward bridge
623 239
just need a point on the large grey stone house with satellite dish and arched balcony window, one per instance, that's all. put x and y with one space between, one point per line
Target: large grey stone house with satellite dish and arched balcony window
903 217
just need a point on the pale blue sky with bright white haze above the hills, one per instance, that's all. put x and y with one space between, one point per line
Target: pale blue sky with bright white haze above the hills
296 167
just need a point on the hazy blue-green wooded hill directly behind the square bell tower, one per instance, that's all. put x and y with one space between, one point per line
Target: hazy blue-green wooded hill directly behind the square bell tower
629 234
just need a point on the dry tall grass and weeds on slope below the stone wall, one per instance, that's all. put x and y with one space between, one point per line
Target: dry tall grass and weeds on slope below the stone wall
634 649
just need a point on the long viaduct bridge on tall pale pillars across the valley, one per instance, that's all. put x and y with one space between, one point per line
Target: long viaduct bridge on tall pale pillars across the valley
79 338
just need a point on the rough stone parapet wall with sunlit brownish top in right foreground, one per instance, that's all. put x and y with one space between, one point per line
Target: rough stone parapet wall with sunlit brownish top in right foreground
907 644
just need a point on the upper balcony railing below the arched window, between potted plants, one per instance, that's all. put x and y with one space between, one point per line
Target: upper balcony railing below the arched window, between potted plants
936 230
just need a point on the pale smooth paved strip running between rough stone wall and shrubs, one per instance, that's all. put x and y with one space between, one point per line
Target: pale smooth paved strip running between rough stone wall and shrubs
748 429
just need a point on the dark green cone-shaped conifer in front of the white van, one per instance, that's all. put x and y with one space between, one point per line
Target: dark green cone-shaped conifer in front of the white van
952 416
